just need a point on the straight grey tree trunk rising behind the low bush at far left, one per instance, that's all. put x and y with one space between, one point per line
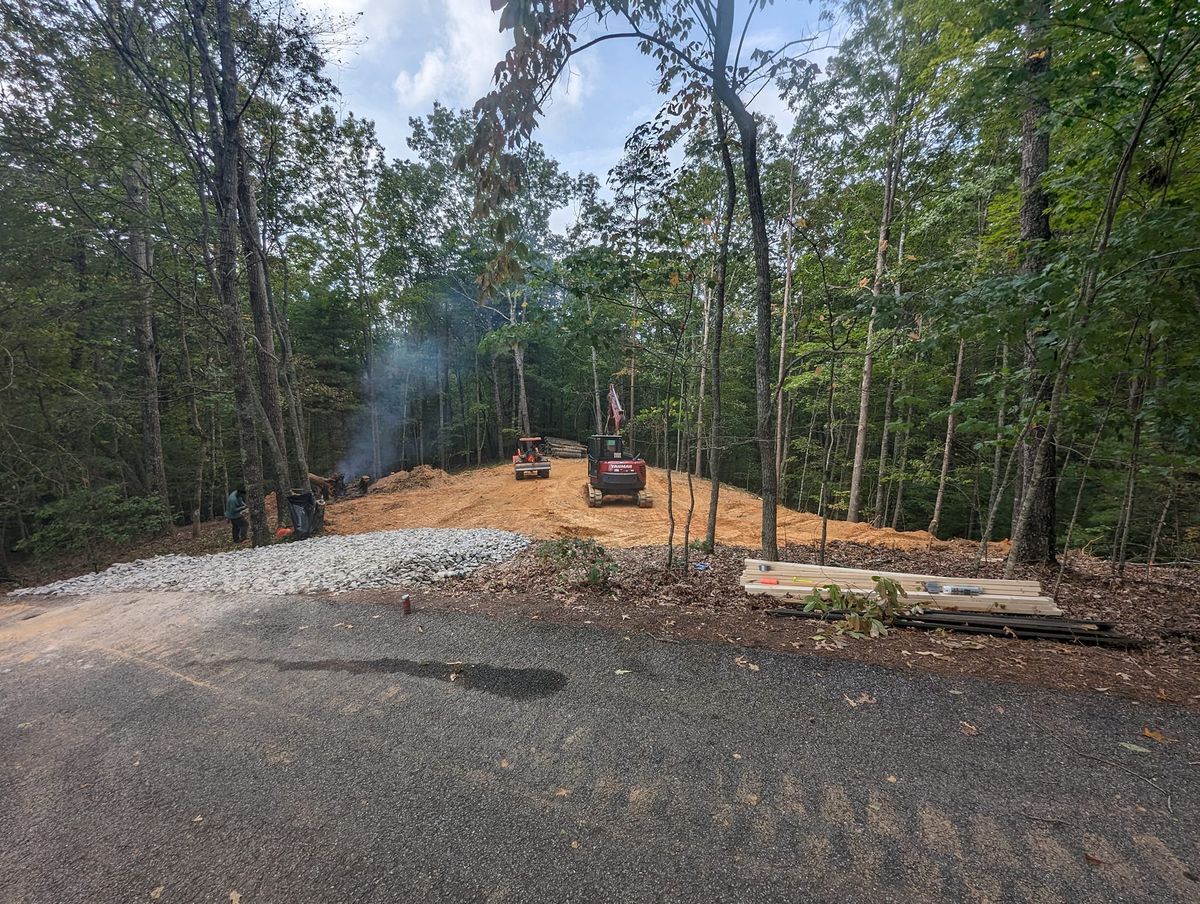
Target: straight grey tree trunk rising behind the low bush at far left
141 253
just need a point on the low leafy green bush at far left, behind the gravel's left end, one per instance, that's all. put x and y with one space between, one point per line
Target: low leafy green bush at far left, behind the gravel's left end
93 517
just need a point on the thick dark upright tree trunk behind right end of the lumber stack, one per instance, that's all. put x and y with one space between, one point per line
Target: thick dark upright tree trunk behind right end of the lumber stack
1039 488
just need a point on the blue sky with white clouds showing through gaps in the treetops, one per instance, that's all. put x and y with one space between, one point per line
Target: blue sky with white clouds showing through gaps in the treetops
398 57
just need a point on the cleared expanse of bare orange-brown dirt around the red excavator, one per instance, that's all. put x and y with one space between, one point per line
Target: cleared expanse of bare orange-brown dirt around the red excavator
554 508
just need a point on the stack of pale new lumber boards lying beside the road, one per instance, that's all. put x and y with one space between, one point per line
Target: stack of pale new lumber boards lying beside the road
791 580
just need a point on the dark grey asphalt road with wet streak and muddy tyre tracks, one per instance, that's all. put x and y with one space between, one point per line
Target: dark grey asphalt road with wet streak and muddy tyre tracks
199 749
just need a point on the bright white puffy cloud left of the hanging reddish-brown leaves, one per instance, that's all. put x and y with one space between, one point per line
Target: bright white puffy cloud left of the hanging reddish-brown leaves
458 70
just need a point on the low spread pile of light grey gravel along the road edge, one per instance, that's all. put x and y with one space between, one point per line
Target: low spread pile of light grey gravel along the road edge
387 559
